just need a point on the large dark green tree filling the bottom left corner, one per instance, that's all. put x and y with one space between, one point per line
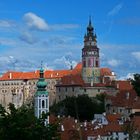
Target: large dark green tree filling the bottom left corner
22 124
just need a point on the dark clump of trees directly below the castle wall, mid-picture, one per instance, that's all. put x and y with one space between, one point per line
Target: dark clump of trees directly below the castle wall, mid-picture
81 107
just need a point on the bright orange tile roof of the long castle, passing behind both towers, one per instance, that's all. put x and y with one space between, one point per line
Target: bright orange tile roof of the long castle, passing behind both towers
49 74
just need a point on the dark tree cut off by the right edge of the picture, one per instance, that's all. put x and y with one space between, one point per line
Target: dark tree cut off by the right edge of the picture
136 83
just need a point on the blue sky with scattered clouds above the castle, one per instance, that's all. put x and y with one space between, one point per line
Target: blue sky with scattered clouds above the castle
52 31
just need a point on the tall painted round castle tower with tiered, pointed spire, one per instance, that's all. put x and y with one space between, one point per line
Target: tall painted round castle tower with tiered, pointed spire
90 57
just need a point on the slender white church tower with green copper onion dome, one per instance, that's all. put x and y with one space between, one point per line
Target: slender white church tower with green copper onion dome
41 97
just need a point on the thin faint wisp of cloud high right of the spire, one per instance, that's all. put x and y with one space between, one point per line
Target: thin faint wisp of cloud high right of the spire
115 10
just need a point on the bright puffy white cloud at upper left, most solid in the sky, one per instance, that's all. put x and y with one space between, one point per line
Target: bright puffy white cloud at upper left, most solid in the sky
35 22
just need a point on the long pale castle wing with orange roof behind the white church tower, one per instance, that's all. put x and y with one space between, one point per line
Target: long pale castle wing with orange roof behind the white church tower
19 87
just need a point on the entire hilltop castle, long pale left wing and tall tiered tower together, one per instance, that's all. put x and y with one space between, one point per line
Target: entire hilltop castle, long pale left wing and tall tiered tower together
86 78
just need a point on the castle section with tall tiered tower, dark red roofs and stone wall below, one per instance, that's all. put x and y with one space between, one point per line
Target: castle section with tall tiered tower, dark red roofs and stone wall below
92 79
